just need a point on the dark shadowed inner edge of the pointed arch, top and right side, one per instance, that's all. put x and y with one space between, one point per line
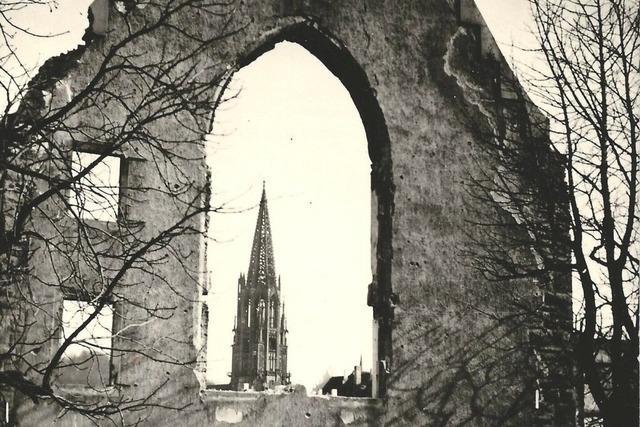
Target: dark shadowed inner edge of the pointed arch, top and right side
337 59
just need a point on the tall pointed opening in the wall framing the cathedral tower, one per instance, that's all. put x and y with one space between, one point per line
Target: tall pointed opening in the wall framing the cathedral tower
291 169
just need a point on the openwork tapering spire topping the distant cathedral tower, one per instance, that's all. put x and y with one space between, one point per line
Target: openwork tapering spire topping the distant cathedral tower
262 271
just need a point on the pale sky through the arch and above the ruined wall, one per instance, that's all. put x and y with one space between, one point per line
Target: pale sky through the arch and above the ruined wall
293 125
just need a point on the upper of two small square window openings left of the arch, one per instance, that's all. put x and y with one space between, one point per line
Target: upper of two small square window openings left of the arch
95 195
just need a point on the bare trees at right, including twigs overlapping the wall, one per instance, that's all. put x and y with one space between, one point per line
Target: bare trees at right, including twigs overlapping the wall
587 83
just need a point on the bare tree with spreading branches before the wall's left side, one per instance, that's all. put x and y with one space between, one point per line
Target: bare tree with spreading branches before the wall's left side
78 260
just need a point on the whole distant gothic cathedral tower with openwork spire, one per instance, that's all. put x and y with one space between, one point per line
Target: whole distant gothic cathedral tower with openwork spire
259 356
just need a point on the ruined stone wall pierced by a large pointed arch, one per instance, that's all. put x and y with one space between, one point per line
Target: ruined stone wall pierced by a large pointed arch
450 356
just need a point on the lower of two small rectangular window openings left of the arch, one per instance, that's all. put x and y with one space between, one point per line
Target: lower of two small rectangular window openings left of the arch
87 360
